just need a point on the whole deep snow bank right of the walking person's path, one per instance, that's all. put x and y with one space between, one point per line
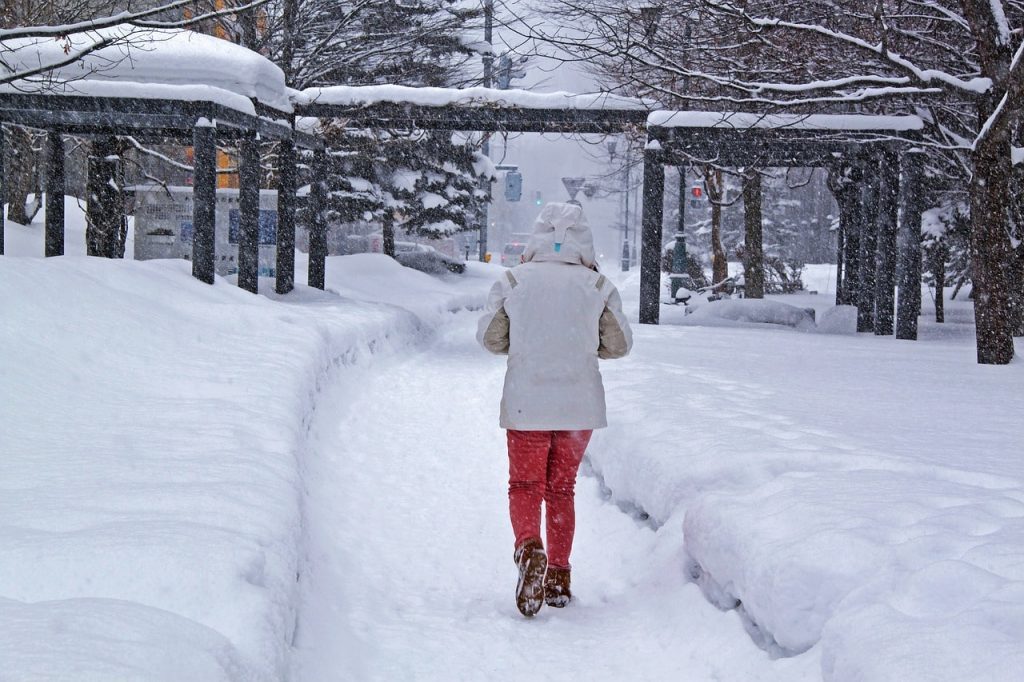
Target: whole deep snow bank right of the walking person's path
859 497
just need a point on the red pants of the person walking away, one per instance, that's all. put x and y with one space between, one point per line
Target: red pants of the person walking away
543 466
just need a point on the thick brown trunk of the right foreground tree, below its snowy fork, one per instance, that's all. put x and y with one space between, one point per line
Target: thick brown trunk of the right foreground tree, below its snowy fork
991 248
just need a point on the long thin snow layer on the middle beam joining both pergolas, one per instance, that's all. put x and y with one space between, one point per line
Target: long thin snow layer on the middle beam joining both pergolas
345 96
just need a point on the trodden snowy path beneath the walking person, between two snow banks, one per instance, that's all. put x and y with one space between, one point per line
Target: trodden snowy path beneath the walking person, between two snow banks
410 573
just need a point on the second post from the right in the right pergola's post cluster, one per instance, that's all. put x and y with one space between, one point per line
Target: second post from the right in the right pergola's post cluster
885 264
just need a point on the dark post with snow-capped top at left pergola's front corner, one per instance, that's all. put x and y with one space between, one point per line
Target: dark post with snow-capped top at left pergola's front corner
204 200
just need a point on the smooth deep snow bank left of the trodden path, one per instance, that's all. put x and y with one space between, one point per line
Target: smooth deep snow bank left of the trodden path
153 456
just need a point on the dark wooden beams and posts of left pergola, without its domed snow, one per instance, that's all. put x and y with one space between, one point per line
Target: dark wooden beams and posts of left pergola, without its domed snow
202 124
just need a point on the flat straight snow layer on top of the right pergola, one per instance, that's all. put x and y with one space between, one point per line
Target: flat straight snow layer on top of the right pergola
852 122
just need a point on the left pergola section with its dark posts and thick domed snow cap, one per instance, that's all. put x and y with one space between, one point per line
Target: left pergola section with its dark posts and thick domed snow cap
155 86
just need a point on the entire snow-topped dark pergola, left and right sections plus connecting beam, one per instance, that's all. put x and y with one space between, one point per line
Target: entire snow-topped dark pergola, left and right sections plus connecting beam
243 98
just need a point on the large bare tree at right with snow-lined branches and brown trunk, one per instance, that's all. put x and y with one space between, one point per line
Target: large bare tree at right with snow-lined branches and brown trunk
955 63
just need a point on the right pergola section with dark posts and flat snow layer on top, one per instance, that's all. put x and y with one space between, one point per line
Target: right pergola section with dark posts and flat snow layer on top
882 148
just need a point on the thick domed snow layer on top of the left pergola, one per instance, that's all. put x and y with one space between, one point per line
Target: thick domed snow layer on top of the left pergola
149 64
